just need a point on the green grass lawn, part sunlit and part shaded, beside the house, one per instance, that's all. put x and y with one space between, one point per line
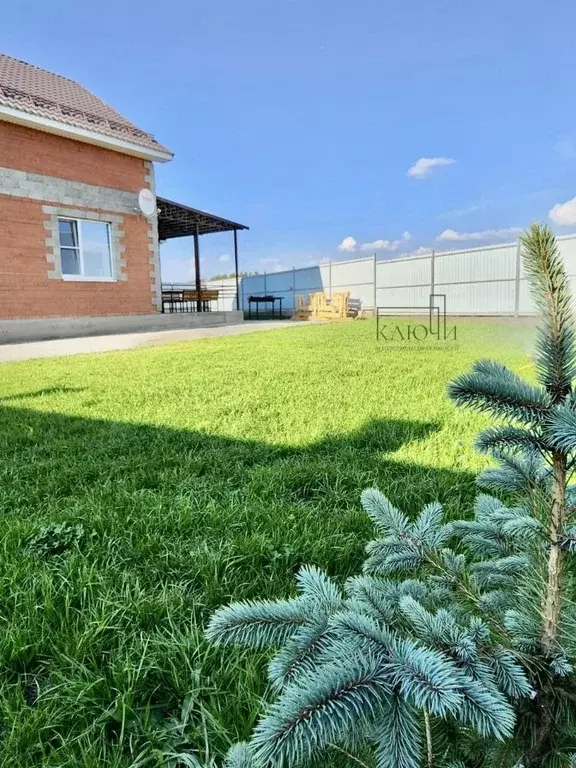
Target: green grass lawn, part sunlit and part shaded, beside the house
199 472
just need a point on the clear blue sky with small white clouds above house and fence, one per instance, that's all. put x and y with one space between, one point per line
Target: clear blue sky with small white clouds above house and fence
301 118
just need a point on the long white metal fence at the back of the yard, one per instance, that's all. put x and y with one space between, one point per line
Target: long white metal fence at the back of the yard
476 281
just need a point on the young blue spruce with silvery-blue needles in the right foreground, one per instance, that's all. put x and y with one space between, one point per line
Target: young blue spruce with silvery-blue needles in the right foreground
455 647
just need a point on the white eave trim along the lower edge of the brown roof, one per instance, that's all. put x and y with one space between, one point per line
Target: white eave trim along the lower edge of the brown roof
48 125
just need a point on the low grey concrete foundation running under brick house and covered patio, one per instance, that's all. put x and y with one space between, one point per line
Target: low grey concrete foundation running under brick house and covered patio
17 331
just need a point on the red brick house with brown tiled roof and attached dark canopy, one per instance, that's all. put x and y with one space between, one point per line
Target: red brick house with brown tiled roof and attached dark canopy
73 241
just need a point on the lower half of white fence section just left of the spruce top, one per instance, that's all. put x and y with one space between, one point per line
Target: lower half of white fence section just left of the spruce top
478 298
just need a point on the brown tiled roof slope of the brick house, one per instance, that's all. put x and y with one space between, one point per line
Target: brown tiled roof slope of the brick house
30 89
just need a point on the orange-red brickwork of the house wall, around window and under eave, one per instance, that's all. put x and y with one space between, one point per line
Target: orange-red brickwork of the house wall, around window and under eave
26 291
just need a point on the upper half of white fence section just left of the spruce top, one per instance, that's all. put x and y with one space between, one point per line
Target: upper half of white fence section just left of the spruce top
477 265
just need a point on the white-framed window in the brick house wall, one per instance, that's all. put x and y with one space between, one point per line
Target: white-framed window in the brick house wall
85 251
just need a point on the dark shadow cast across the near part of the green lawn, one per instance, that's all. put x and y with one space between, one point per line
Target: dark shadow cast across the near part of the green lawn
176 524
